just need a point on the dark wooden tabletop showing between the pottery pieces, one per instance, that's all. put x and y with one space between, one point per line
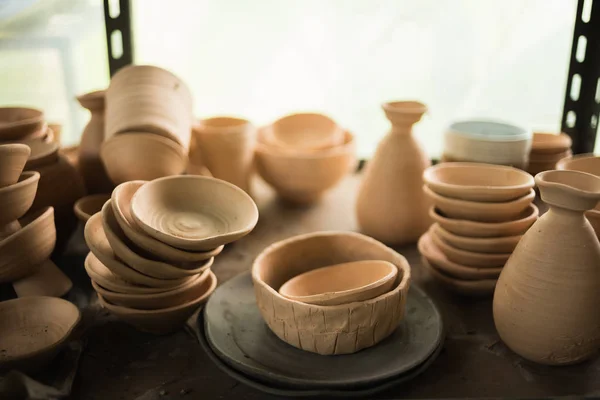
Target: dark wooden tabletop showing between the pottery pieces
120 363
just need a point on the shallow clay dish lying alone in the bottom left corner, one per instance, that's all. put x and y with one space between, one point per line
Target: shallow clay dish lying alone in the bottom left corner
33 330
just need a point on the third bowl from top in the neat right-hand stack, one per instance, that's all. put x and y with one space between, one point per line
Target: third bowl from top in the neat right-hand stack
464 227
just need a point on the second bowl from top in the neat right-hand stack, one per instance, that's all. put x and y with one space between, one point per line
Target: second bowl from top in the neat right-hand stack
478 211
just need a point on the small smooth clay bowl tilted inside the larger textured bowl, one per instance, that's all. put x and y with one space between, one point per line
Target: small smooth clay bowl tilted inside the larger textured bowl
341 283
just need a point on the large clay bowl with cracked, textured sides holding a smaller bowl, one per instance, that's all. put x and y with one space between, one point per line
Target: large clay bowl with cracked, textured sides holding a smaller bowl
293 322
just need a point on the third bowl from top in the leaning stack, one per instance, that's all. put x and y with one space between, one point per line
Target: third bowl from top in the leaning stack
126 252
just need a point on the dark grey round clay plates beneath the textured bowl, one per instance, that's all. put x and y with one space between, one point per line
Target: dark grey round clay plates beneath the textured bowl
238 335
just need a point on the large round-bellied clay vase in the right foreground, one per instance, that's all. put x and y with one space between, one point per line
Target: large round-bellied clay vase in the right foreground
546 300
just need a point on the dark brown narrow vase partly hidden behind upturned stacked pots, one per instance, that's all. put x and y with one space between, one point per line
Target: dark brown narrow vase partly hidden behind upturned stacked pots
91 167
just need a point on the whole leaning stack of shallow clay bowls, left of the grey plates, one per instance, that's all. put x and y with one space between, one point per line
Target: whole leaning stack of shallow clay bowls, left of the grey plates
153 244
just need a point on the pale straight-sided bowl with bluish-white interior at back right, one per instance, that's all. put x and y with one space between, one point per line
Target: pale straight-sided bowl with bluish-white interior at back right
490 142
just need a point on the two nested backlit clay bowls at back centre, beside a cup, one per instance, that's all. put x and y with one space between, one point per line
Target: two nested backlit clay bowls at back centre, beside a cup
303 155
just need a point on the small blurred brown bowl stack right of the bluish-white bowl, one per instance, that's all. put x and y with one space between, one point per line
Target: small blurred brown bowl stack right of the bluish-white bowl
546 150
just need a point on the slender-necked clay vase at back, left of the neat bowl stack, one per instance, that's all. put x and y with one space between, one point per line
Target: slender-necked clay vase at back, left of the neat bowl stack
391 205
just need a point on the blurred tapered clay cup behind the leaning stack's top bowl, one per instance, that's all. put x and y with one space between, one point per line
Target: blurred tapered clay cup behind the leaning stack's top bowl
227 148
